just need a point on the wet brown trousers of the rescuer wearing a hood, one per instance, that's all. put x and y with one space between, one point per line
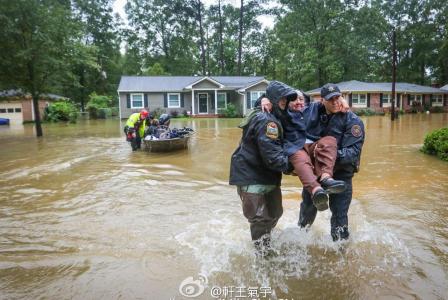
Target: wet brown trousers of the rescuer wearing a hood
261 210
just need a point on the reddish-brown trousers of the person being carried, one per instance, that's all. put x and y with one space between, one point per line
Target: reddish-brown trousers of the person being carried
314 160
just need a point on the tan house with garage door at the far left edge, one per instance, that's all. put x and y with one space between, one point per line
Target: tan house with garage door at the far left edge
19 108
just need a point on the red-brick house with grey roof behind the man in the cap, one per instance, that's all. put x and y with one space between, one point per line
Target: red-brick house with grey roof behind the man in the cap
377 95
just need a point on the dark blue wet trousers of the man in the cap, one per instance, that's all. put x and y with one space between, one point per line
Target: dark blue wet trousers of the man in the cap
339 205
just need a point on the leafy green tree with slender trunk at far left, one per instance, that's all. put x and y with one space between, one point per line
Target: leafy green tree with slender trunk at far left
39 39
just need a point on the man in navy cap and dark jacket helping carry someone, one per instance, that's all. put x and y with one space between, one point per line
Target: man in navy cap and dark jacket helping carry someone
348 129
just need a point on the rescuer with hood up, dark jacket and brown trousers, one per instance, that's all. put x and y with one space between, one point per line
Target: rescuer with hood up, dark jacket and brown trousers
257 165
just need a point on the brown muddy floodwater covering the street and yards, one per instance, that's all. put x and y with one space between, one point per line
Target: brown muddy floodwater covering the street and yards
83 217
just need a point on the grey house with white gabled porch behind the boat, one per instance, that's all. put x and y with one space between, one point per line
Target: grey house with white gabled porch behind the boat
210 94
